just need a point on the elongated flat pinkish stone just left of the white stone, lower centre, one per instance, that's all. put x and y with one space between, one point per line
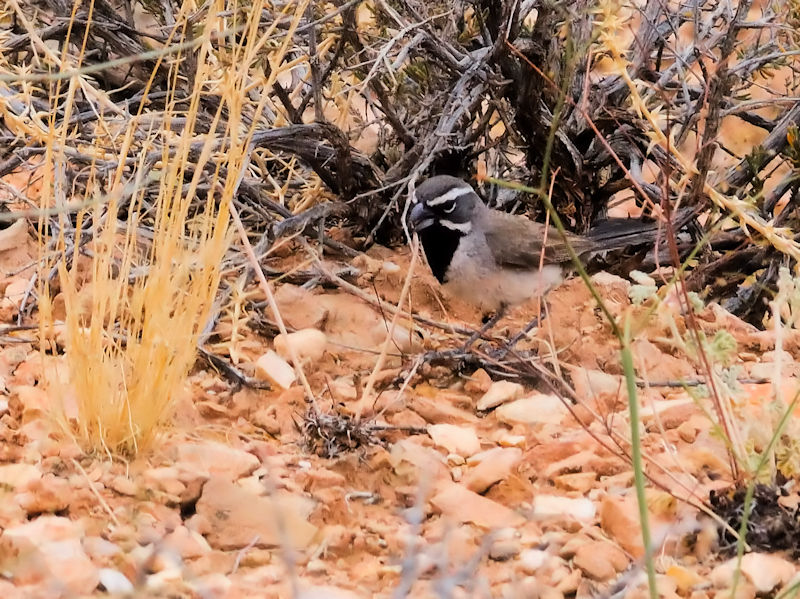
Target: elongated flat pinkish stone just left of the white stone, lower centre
462 505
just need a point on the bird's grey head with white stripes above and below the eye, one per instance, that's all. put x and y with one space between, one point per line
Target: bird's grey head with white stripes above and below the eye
446 201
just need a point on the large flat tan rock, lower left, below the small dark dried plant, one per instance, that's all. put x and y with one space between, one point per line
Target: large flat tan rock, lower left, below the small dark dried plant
232 518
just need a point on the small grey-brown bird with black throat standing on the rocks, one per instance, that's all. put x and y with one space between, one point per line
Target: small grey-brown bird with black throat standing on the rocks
491 258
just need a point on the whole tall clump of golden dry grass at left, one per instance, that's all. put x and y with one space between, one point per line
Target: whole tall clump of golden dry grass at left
138 266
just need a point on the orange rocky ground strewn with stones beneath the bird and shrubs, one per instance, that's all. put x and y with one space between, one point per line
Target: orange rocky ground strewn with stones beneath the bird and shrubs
475 486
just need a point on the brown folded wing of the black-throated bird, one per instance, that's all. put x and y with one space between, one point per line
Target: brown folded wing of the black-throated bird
516 242
